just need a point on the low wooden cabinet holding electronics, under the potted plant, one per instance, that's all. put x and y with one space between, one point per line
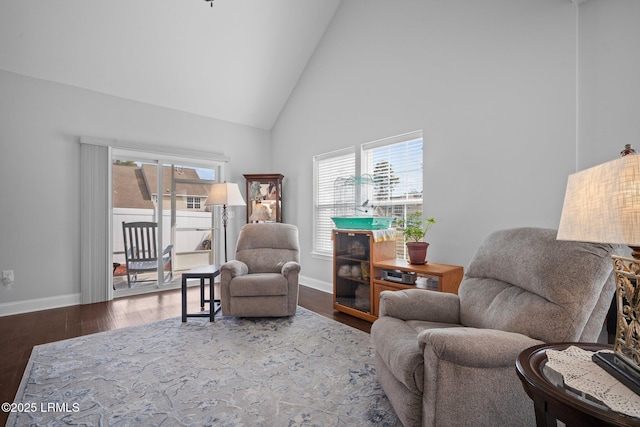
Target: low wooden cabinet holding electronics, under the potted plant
431 276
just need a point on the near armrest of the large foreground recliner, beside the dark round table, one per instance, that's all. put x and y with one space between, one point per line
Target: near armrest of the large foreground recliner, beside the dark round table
472 347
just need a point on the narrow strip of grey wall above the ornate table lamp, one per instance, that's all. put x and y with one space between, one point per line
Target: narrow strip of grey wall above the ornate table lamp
609 72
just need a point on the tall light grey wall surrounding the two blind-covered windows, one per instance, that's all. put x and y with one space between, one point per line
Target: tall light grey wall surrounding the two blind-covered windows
491 83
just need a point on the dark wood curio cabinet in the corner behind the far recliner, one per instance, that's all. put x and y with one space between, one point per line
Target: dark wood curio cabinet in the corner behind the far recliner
264 197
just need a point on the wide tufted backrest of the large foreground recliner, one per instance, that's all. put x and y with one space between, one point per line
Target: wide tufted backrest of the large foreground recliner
524 280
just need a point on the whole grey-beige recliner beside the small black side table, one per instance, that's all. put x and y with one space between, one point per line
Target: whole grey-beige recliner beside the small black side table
263 279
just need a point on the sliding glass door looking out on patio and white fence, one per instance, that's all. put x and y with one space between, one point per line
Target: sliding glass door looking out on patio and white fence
171 195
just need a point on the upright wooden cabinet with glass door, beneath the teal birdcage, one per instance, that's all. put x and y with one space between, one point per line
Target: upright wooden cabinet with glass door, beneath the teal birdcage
354 252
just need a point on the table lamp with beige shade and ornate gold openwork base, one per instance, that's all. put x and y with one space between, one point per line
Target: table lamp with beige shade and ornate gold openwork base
602 205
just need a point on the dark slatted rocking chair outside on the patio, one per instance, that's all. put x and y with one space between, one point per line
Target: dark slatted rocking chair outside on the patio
141 252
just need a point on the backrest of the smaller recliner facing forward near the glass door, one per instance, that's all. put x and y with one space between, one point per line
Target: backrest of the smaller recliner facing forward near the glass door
265 247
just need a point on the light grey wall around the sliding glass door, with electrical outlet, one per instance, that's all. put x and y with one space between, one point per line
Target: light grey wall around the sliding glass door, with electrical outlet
40 127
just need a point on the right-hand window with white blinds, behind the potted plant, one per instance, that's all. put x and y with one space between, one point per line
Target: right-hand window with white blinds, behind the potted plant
396 167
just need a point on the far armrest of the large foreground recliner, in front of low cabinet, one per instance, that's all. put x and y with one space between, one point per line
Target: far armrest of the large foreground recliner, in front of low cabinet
418 304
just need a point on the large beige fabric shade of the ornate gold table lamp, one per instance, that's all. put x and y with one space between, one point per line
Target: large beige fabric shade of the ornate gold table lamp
602 204
